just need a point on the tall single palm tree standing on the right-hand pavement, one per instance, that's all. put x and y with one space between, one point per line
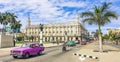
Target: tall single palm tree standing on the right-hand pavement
100 16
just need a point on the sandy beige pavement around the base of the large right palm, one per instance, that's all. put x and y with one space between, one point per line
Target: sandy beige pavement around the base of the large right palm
112 54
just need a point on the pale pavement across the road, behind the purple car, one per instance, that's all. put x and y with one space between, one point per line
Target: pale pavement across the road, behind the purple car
6 51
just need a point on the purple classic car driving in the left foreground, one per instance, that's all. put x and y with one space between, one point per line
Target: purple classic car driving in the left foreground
26 50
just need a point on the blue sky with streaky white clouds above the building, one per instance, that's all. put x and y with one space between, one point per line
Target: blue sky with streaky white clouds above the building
57 11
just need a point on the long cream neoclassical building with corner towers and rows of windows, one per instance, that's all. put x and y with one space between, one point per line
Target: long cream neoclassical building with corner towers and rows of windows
56 31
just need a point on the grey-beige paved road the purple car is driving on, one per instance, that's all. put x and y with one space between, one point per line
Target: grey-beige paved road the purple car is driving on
53 54
